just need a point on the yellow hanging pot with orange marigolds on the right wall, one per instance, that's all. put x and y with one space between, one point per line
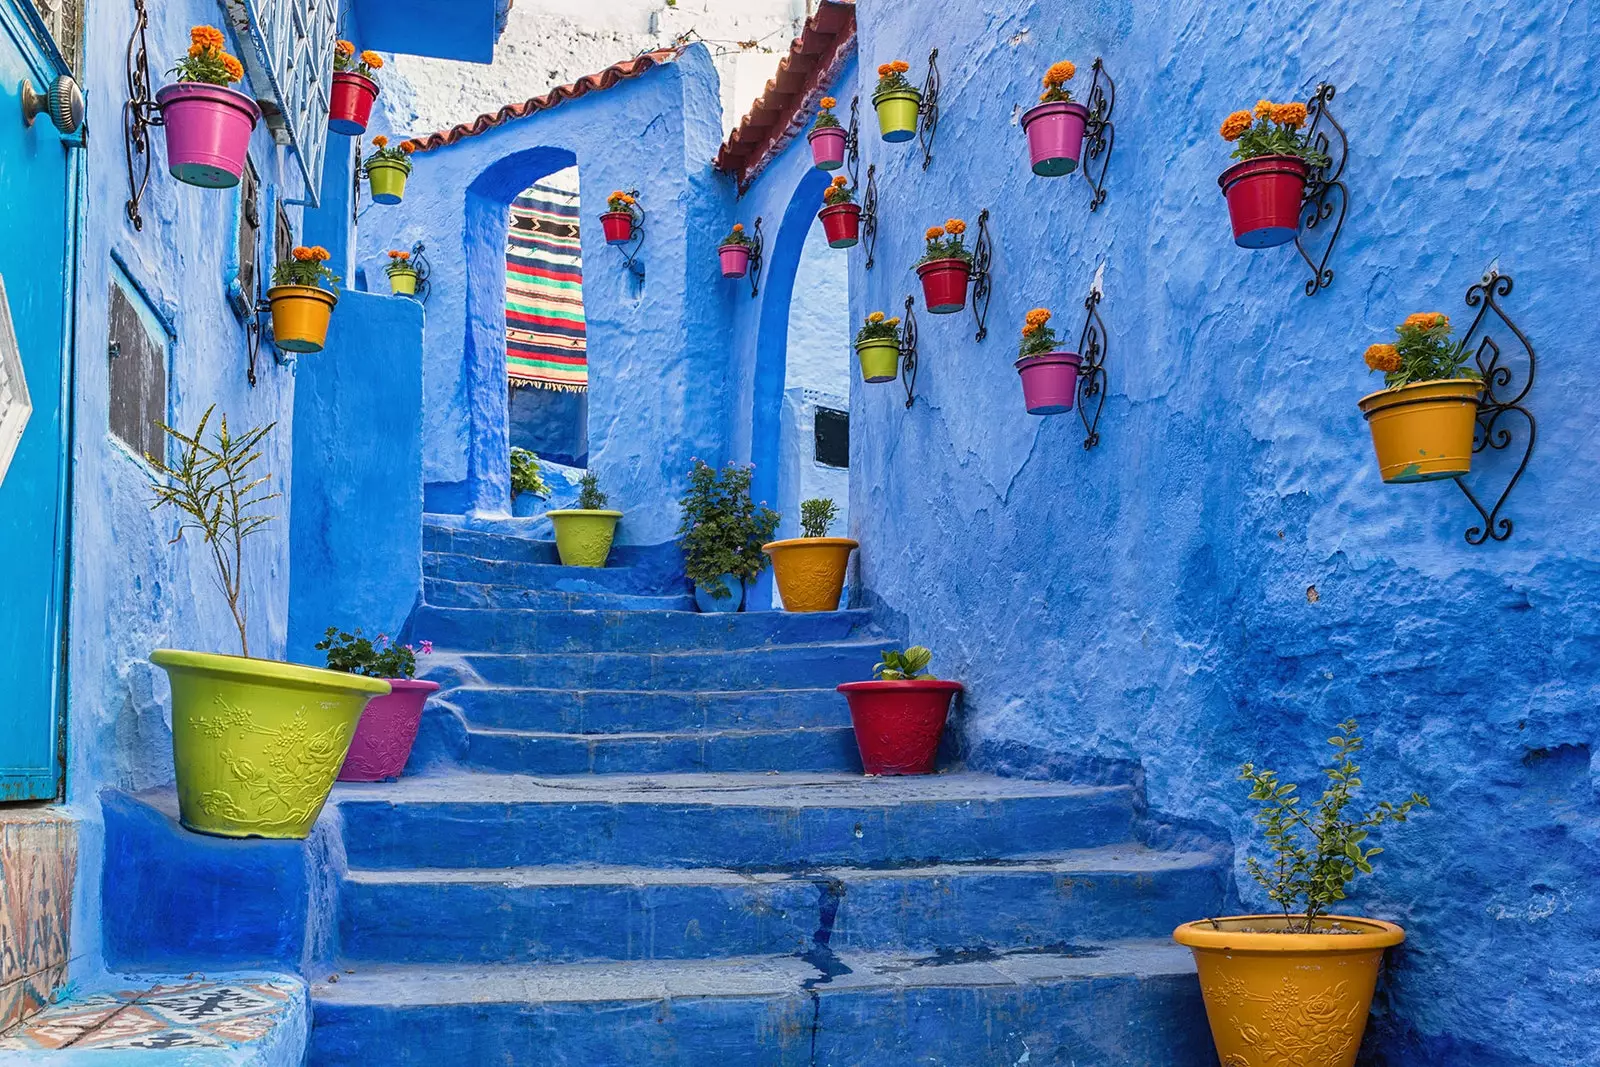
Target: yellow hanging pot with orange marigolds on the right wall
1426 415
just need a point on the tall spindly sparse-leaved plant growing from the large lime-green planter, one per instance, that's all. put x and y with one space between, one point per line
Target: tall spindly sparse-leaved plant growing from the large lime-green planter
214 489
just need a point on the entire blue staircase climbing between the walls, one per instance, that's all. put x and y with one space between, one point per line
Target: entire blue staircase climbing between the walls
658 849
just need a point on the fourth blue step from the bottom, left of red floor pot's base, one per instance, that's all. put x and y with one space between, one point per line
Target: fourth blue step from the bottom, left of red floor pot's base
535 753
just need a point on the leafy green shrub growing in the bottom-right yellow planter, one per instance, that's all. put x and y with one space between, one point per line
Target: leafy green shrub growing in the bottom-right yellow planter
1319 852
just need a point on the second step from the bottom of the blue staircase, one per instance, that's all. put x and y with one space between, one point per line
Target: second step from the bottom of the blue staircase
567 914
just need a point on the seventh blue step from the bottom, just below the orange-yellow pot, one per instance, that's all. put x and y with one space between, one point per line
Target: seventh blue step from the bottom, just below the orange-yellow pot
513 631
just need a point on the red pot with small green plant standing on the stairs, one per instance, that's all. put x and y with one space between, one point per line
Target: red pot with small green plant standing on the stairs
900 716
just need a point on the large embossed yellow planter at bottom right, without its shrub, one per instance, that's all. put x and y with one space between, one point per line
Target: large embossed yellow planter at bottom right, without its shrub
1287 1001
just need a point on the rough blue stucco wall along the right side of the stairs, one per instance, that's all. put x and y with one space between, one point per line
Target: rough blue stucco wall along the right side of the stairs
1150 601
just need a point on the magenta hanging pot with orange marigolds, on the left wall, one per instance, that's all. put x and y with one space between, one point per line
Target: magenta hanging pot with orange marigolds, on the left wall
209 126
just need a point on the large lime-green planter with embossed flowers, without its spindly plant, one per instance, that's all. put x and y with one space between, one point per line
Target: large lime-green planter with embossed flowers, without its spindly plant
257 741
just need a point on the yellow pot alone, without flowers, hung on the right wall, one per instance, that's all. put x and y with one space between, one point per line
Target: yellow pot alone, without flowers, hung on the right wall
1423 431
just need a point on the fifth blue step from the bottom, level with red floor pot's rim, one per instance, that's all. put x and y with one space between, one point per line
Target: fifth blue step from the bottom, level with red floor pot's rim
642 711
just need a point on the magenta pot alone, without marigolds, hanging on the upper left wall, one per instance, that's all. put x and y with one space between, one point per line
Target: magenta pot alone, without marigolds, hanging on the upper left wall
207 134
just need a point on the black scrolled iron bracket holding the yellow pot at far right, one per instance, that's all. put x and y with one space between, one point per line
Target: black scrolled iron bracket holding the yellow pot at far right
1502 398
